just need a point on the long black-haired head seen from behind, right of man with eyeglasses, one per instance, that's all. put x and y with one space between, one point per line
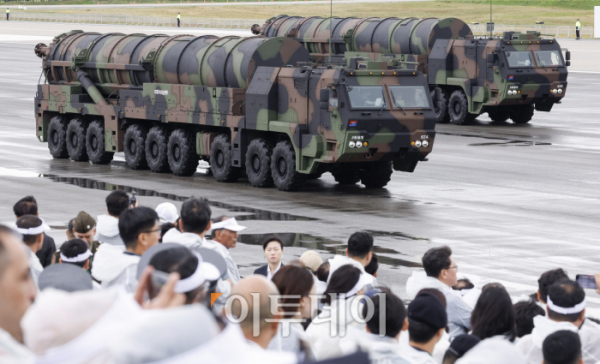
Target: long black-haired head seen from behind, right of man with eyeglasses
494 314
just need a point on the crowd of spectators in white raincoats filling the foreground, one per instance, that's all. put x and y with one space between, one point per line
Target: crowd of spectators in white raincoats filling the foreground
142 285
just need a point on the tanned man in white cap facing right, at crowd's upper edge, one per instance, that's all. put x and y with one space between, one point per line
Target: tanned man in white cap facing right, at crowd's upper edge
225 233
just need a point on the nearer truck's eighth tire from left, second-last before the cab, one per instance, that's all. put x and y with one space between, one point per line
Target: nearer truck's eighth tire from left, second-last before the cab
258 163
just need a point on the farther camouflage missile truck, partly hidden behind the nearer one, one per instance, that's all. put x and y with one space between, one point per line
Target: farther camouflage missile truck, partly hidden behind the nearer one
507 77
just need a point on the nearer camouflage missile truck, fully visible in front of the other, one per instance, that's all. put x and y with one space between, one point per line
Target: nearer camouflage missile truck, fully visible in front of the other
246 105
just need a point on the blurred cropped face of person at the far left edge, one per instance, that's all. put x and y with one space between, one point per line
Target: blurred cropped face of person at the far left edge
18 293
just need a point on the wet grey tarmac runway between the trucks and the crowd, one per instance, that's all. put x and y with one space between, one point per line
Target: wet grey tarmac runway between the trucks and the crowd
511 201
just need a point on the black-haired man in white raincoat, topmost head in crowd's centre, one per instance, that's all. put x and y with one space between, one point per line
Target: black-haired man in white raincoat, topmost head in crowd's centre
358 254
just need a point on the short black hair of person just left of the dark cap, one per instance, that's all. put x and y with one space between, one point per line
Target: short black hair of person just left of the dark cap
395 313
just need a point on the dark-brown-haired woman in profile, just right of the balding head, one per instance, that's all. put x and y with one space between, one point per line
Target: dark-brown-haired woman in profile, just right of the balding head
296 286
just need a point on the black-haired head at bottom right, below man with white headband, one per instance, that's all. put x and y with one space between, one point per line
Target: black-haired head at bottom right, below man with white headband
562 347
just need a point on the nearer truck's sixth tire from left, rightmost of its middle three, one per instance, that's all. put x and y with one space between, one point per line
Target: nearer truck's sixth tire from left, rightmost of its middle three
183 159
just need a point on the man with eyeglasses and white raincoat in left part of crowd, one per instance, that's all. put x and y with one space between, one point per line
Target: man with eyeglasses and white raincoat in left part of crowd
113 266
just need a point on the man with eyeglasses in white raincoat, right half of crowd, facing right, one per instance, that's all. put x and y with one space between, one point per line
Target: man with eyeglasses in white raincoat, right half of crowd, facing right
441 273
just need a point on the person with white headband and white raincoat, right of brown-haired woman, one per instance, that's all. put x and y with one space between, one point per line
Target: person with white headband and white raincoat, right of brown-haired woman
345 284
